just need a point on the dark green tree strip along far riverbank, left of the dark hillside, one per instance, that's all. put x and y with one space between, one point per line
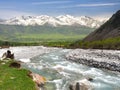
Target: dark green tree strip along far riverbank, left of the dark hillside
60 43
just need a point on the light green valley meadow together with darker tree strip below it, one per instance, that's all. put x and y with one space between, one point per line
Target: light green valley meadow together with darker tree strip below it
46 40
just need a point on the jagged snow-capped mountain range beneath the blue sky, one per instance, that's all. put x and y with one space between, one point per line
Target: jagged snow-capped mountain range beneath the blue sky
54 21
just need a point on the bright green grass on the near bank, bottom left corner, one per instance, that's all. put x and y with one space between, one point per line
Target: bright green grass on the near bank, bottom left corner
14 79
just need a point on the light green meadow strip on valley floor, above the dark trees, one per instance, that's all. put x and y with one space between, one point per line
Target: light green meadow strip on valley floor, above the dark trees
31 38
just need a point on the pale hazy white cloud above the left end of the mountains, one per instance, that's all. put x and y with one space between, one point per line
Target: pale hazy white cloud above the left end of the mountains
6 14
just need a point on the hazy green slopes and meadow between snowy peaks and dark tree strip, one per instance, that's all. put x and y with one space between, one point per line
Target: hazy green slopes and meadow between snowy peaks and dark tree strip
39 33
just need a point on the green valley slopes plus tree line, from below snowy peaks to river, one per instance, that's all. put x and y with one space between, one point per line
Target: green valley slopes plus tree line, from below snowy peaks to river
18 35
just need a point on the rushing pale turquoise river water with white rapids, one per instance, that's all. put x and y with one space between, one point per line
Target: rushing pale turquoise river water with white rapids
60 73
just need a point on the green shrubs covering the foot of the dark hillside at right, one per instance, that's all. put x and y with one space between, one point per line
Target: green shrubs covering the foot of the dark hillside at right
110 43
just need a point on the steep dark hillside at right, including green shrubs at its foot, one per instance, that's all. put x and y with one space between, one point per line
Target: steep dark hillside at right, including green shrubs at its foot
105 37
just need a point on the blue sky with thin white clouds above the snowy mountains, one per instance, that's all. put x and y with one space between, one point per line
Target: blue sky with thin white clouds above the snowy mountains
99 9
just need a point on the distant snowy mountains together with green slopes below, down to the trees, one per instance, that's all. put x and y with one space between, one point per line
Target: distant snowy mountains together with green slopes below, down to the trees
43 28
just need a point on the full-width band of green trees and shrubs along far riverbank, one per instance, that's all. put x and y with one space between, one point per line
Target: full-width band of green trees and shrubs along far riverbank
110 43
